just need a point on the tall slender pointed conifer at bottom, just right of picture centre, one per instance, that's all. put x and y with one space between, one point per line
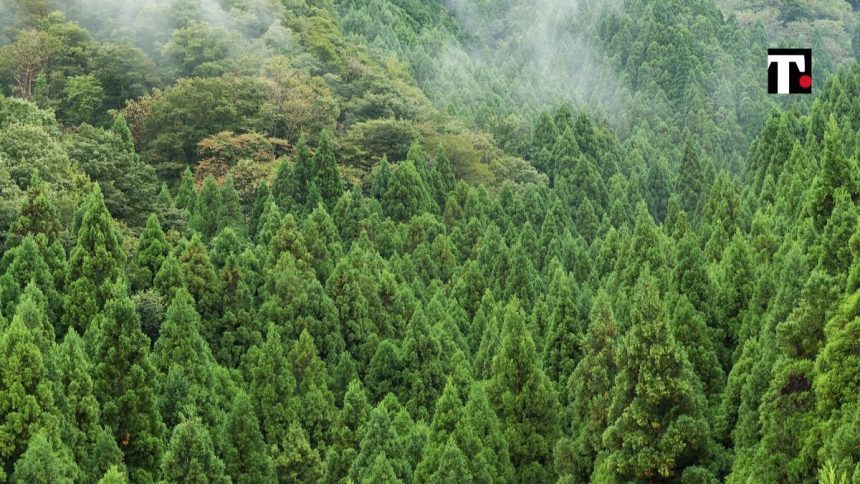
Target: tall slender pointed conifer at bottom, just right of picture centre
525 399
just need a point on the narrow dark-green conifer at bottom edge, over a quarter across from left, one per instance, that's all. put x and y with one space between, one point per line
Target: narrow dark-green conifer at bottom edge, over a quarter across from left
246 456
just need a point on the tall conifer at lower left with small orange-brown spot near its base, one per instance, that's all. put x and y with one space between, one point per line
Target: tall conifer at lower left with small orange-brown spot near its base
124 383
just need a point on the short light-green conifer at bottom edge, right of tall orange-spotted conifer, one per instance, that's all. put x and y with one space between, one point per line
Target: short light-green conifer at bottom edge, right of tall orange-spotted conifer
190 456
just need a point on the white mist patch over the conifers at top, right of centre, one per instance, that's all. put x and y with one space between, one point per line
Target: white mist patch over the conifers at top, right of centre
535 53
